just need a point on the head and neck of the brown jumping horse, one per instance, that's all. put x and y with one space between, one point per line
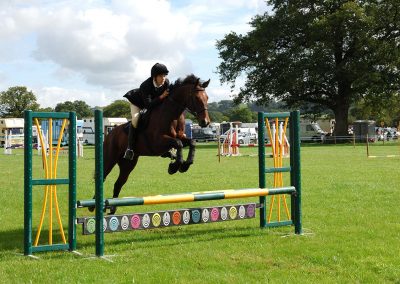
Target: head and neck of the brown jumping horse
190 93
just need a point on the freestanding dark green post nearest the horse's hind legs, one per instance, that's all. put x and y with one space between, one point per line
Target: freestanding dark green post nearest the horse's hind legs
99 182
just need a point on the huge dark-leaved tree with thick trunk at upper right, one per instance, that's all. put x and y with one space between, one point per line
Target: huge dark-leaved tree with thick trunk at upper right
326 52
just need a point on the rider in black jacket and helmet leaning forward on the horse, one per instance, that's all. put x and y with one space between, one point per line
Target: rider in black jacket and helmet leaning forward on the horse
152 92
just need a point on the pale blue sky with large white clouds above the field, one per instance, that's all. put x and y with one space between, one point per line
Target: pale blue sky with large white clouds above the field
97 50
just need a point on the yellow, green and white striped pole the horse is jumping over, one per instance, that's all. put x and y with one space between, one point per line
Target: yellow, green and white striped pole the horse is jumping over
199 196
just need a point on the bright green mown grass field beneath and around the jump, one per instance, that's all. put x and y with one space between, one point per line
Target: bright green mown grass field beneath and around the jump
351 209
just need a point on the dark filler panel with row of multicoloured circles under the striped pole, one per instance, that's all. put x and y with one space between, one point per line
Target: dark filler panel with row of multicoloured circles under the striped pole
169 218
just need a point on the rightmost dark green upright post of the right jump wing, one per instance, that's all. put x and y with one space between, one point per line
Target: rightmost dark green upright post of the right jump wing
295 175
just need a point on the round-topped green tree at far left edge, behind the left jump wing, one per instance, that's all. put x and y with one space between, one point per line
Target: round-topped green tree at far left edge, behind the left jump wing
15 100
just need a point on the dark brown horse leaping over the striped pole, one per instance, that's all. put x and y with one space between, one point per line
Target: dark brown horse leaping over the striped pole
165 131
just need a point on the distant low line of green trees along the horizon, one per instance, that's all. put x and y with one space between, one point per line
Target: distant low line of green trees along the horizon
16 99
